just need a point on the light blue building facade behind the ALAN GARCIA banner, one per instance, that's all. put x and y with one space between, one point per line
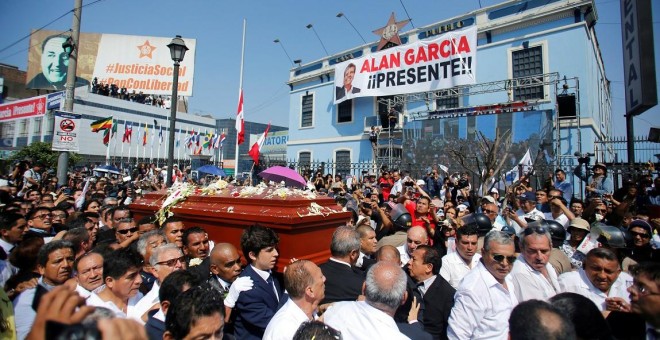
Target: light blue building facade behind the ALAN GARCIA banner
548 48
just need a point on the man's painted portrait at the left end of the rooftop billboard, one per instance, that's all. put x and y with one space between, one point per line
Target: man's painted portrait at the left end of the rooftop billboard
54 66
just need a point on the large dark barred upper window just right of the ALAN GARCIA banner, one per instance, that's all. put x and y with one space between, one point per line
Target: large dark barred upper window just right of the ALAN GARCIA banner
525 63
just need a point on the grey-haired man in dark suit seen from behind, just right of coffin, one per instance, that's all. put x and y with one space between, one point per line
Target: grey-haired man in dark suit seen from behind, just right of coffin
343 282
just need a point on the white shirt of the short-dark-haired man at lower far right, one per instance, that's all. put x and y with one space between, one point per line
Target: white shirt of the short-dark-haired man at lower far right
578 282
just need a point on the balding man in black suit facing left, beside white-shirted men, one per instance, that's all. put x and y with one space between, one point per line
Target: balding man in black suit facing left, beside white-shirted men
437 294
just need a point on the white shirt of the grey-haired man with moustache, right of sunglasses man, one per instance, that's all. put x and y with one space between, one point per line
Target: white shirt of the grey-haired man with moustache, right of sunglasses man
529 283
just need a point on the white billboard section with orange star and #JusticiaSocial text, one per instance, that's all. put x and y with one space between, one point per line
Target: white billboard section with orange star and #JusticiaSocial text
143 64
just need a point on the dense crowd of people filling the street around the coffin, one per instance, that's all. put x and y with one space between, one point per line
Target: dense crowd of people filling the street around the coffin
420 258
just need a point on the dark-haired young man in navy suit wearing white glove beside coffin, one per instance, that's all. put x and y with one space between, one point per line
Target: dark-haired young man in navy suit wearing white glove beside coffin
255 307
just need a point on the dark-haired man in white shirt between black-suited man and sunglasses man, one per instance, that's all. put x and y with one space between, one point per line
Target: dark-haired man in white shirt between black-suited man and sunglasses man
457 264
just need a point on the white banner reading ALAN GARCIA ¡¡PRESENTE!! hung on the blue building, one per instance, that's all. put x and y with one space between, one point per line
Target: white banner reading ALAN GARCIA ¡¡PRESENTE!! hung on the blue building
448 60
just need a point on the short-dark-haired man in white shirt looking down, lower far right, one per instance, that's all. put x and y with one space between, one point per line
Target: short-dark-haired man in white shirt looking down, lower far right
601 280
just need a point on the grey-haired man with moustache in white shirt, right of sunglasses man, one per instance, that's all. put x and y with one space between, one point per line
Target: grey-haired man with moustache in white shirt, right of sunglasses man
532 275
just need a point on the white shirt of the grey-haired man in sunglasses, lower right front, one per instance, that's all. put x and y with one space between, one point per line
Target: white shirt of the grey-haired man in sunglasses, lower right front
482 307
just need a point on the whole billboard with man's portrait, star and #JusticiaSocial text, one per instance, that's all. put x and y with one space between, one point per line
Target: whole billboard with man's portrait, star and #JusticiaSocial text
138 63
